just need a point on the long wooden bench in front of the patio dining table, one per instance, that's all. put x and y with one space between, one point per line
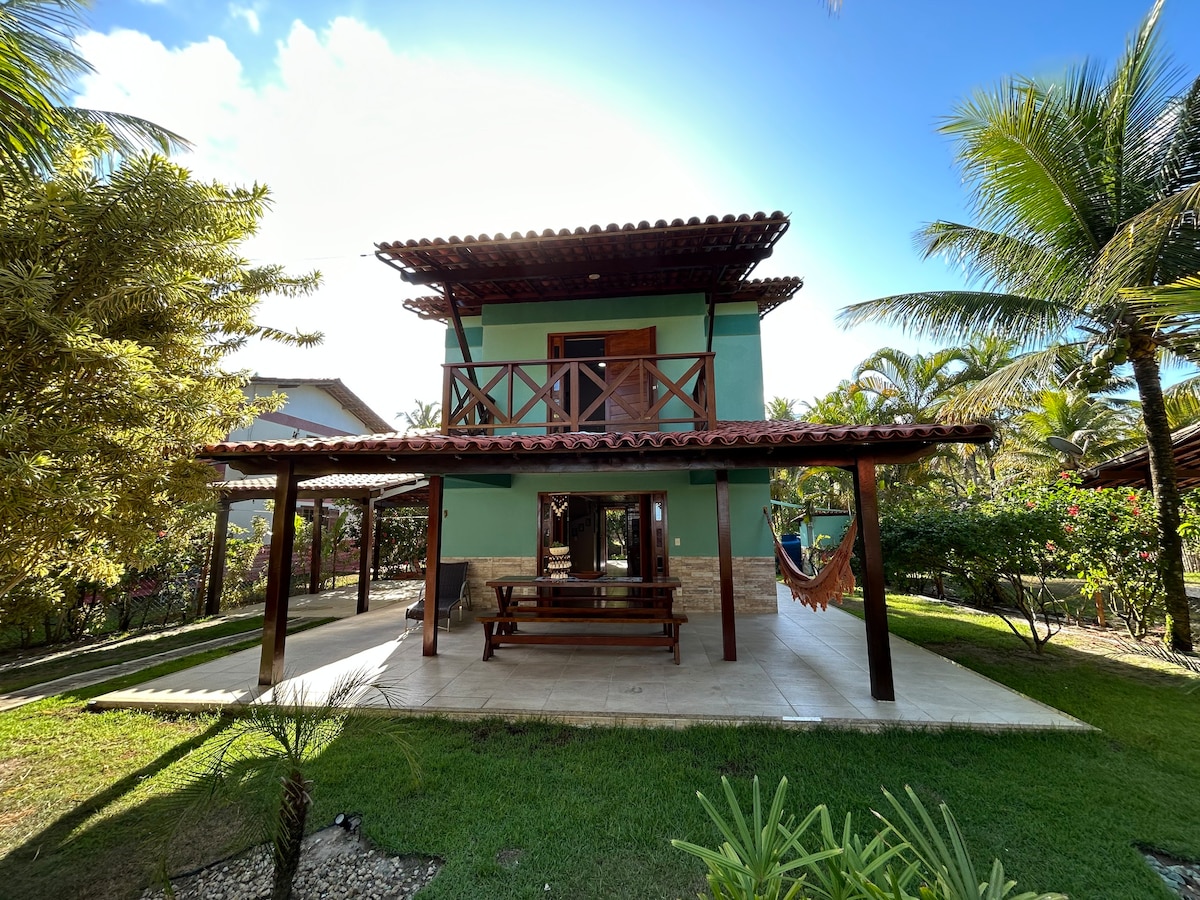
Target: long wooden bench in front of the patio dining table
503 629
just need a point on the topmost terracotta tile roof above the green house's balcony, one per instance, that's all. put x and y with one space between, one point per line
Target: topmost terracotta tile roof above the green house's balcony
715 256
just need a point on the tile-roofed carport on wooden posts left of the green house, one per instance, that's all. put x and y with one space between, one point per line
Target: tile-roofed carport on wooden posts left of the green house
371 491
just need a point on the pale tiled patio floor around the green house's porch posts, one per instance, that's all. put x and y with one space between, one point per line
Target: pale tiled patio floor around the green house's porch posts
797 668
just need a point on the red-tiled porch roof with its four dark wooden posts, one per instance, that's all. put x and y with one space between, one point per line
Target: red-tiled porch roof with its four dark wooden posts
728 447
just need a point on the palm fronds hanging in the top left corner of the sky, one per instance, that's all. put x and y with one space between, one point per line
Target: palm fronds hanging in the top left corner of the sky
38 69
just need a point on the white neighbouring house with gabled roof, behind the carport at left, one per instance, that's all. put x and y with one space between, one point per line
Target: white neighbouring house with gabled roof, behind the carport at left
316 409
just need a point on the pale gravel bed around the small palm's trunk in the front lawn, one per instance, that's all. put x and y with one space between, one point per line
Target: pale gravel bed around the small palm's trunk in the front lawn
335 863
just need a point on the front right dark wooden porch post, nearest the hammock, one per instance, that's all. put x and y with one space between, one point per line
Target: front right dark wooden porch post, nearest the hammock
875 610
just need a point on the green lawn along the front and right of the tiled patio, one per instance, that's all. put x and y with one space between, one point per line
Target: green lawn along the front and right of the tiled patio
88 801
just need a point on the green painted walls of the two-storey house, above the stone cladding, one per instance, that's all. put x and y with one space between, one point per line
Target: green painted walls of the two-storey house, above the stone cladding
497 521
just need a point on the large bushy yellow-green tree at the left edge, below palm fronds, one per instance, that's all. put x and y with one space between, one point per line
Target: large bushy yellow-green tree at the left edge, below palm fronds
119 299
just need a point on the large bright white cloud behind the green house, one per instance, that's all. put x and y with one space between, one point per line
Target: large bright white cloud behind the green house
364 143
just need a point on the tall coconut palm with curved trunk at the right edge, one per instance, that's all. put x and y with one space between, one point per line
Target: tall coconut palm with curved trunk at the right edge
1087 191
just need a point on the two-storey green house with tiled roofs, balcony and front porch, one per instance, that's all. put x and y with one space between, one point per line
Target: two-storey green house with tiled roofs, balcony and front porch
603 389
